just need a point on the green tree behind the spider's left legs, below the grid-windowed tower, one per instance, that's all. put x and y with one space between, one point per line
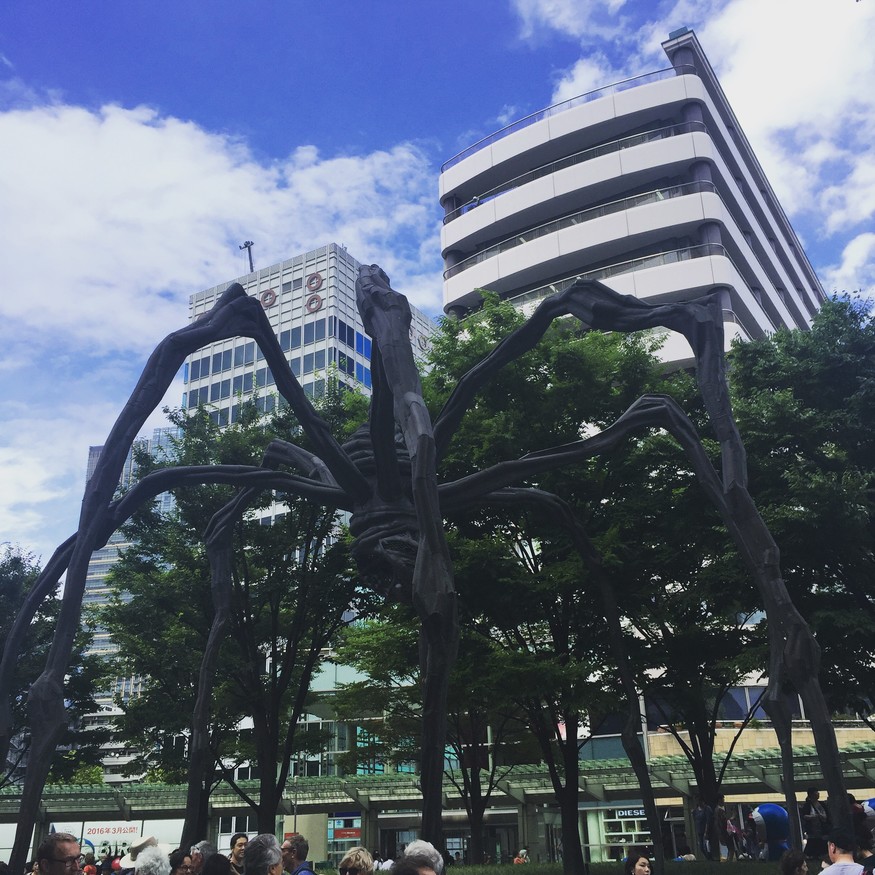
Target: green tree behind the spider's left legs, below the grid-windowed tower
292 587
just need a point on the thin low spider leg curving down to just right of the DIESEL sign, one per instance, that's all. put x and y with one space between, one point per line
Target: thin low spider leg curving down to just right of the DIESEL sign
560 513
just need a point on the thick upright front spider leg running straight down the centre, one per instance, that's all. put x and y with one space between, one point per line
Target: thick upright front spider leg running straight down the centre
386 316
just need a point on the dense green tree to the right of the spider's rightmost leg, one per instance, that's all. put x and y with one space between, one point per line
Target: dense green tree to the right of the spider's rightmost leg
805 405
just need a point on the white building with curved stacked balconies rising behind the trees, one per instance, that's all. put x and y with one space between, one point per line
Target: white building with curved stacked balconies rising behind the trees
648 184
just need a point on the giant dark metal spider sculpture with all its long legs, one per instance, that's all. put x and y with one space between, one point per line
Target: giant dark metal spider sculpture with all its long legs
397 509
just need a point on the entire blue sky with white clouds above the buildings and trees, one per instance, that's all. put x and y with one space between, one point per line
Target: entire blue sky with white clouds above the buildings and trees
142 141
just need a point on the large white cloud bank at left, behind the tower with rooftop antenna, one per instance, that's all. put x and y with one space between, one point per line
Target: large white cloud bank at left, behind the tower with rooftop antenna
111 218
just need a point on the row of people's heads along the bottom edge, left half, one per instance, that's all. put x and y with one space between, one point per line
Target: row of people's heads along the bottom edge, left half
61 854
